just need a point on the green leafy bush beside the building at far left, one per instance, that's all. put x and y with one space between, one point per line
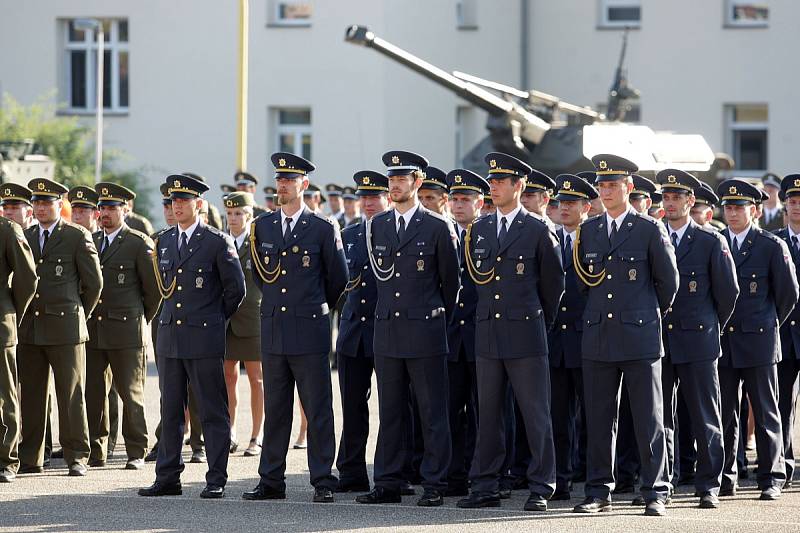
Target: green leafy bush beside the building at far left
70 143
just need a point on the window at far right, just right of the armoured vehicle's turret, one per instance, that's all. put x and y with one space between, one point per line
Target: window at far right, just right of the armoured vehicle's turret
747 137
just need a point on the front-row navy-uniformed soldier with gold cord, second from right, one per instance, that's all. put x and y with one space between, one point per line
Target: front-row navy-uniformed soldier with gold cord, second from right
515 261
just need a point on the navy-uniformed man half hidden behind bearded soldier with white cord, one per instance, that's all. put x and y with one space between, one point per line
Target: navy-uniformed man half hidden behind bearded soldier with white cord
354 343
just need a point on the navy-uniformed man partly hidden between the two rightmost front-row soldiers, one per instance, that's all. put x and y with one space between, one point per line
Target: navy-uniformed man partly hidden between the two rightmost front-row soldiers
566 377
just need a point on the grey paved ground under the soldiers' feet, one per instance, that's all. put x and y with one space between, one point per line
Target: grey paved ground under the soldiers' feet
106 501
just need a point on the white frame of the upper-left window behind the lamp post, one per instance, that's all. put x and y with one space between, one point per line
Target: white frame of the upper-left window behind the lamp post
114 47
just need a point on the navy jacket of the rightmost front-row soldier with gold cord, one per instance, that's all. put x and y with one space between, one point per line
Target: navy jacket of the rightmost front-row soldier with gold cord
622 319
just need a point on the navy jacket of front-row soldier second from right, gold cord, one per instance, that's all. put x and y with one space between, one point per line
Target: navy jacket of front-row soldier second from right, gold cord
518 305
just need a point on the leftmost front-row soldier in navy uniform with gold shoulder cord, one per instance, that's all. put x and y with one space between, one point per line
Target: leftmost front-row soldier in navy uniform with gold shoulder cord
202 285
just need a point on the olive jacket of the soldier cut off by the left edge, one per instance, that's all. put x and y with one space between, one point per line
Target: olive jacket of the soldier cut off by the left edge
17 259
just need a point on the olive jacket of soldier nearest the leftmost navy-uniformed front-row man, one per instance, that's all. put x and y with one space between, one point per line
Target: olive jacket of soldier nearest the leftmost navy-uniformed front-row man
130 297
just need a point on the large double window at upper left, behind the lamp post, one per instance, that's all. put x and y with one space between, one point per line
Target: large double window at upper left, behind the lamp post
81 67
